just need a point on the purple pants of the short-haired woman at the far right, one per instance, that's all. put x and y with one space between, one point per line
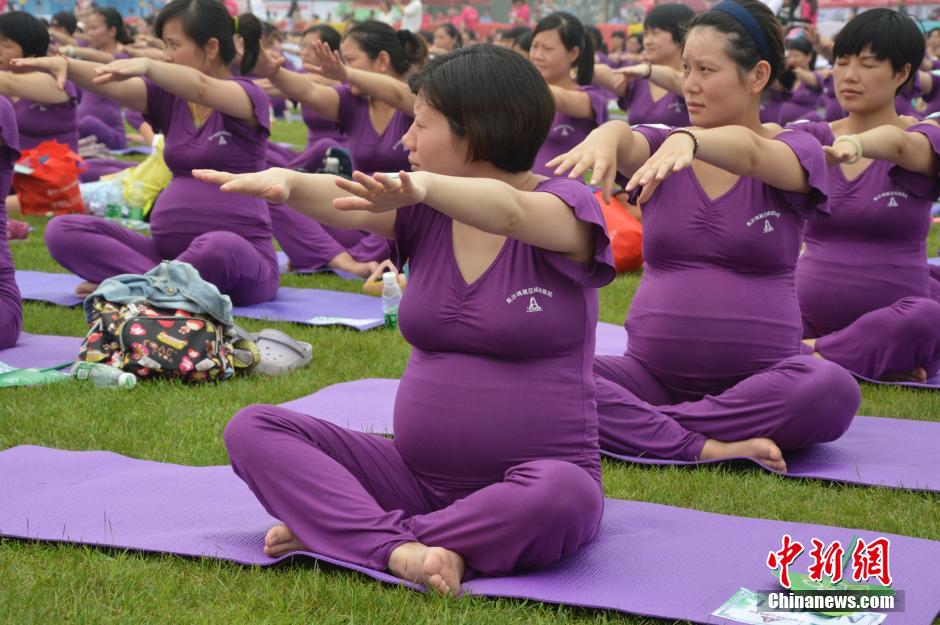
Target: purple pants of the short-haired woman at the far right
895 339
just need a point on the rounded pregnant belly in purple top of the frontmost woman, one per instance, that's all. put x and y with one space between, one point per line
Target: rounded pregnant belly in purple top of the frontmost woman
462 420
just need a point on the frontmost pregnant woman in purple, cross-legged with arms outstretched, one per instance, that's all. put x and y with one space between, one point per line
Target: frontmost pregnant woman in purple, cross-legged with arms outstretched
494 467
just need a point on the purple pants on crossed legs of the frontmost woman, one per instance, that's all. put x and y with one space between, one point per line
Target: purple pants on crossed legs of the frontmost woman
351 496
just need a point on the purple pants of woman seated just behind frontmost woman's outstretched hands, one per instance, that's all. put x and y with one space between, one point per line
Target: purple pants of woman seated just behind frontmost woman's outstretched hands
310 245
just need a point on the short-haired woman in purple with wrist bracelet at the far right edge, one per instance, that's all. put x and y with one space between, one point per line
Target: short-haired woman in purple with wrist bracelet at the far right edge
866 295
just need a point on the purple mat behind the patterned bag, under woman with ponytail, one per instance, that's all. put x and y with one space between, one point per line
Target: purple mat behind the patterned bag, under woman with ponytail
307 306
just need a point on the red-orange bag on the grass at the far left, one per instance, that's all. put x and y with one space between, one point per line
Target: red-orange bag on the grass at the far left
52 186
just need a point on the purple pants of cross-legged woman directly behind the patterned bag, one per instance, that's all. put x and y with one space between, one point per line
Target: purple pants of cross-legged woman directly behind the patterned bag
96 249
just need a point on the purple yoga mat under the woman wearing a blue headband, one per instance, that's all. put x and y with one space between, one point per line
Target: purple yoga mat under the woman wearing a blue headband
877 451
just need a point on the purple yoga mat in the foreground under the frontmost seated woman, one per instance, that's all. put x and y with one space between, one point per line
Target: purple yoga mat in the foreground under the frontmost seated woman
647 559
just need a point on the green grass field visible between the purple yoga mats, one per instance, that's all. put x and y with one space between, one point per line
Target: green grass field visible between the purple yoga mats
46 583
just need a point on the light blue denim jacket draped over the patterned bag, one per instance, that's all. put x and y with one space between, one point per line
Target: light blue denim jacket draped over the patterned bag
171 284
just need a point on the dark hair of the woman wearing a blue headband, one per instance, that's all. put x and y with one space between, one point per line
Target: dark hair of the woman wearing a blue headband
742 48
